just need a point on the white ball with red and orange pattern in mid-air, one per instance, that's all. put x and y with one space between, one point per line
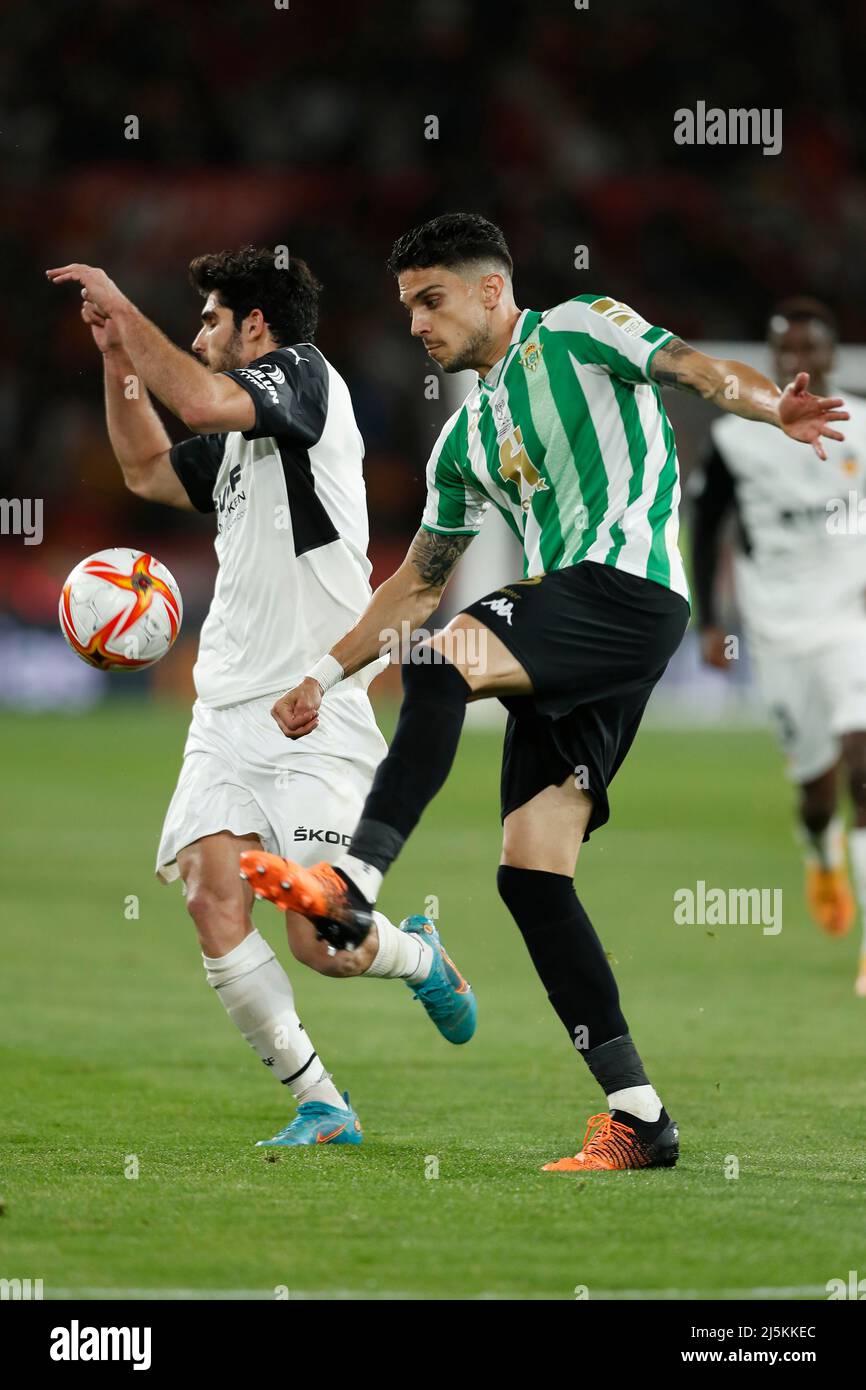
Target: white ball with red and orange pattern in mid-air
120 611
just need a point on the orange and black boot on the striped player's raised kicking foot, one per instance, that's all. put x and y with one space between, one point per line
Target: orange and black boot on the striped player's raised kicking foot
318 893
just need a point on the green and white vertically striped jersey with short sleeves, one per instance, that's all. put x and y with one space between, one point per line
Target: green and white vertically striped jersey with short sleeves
568 437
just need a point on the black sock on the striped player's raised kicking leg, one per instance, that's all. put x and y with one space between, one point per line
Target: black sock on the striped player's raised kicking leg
416 765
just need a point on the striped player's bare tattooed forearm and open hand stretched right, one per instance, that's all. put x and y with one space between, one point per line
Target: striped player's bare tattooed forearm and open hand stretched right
733 386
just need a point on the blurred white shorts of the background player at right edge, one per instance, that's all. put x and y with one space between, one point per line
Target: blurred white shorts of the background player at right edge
814 698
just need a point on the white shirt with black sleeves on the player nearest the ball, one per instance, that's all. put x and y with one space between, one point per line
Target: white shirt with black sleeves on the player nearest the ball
291 529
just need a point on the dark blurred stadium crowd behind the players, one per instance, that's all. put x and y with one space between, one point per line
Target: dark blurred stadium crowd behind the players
307 127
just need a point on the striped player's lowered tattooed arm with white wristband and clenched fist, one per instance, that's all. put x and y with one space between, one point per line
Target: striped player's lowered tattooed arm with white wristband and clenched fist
411 596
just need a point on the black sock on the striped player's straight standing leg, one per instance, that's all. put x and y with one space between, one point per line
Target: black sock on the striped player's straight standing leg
566 953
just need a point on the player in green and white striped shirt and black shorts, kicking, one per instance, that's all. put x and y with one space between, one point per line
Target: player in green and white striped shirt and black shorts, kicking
565 433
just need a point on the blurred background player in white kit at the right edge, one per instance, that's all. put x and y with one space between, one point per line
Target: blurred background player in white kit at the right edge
800 578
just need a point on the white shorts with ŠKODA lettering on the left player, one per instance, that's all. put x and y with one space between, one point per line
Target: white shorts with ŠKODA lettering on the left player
302 797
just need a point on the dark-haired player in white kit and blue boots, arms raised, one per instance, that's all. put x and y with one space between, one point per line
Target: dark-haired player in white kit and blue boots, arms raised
277 455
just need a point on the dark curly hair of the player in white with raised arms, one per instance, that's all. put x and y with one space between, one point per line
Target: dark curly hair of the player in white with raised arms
250 279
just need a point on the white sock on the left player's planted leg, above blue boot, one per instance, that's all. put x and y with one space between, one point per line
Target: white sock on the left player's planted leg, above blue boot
259 999
